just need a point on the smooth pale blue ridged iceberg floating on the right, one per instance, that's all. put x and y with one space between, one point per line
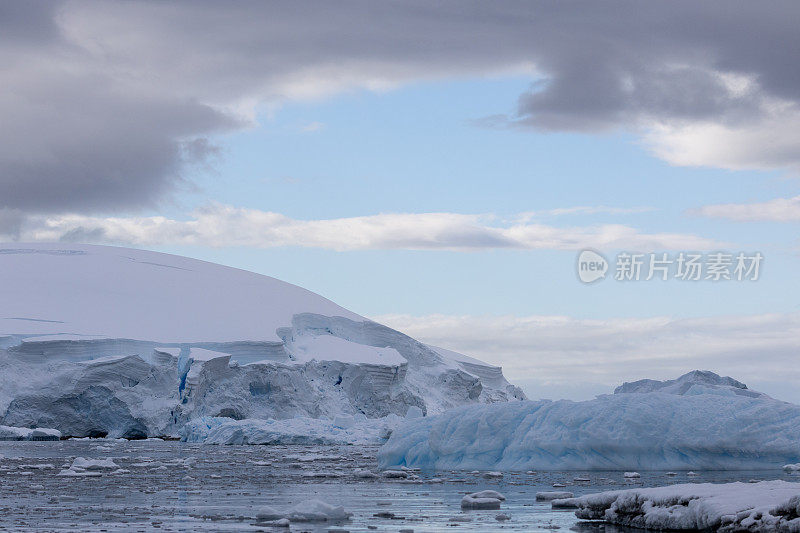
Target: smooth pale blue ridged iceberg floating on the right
698 421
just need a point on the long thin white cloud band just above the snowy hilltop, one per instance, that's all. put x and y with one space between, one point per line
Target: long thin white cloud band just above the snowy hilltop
220 226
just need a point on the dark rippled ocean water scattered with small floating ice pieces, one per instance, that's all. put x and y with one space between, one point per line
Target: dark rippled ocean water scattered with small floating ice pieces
172 486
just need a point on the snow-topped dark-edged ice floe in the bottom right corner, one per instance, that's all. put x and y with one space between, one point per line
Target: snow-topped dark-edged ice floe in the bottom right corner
766 506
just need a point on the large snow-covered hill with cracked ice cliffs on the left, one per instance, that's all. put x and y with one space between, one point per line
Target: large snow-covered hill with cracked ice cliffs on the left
100 340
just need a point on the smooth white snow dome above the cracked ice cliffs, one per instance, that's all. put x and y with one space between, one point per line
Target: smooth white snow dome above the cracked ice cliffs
124 293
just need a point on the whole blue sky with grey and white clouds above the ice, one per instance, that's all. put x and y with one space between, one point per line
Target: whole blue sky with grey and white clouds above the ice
437 167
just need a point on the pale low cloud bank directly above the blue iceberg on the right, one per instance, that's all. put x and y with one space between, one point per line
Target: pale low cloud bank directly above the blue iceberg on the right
553 353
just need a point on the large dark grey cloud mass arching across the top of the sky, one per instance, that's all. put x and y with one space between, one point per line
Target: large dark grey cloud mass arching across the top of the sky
102 102
